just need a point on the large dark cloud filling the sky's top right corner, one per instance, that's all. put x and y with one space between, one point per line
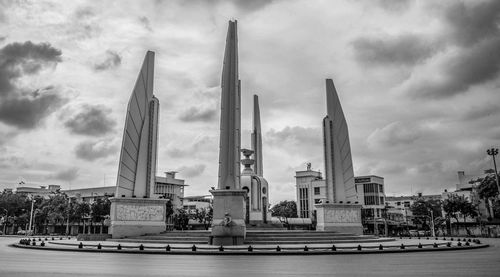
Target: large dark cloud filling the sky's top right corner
472 57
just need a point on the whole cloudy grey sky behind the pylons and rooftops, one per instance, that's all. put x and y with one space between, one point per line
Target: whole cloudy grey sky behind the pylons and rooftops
418 81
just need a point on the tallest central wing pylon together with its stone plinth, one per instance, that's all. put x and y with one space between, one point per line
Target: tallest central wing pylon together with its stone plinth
228 225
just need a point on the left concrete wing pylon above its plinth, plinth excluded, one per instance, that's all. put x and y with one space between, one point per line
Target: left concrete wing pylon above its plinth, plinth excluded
138 155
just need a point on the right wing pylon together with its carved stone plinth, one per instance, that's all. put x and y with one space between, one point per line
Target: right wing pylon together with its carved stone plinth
339 211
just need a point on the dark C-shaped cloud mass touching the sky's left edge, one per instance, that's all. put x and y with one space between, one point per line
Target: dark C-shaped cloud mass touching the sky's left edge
19 107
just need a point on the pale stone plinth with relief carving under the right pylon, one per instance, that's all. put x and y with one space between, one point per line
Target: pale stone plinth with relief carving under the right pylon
344 218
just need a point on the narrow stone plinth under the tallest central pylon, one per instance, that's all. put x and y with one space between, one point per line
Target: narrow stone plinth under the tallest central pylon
228 225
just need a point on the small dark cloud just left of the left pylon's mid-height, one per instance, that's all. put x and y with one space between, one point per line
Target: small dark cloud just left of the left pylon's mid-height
91 120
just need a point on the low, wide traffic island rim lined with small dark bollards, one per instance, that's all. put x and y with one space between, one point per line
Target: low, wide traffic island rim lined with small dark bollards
401 246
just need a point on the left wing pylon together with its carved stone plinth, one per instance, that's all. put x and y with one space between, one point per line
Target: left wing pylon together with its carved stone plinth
133 211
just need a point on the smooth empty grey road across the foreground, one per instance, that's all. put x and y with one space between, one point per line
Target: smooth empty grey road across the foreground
26 262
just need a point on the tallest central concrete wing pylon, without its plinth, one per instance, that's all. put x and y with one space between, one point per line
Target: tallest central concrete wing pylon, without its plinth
229 147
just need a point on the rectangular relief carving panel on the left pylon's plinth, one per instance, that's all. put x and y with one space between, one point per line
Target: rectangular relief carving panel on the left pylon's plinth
139 213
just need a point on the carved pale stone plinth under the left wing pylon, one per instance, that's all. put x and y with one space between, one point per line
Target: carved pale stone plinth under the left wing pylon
137 216
